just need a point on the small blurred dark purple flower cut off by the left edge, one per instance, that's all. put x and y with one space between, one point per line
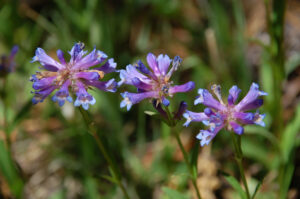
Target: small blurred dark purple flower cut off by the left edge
7 63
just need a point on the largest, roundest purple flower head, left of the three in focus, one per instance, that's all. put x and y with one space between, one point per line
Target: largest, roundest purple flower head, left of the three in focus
76 76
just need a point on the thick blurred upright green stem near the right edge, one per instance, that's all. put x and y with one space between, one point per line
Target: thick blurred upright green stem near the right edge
276 25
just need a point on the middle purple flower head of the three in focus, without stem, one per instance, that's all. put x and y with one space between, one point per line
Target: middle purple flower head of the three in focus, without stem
153 83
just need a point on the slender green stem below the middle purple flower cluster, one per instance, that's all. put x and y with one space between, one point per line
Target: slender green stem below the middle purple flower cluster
185 154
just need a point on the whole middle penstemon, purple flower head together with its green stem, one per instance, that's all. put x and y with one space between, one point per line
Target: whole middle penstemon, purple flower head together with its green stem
155 84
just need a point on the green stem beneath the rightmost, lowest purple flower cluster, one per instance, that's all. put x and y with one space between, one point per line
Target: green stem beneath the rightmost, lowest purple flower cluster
239 160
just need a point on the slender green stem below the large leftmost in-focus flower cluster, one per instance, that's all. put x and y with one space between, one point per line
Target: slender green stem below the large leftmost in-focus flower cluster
92 130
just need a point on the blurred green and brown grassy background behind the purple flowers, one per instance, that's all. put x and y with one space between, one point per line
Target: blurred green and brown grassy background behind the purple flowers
226 42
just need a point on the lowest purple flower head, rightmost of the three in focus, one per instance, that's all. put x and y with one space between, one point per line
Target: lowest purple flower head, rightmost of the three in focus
218 115
